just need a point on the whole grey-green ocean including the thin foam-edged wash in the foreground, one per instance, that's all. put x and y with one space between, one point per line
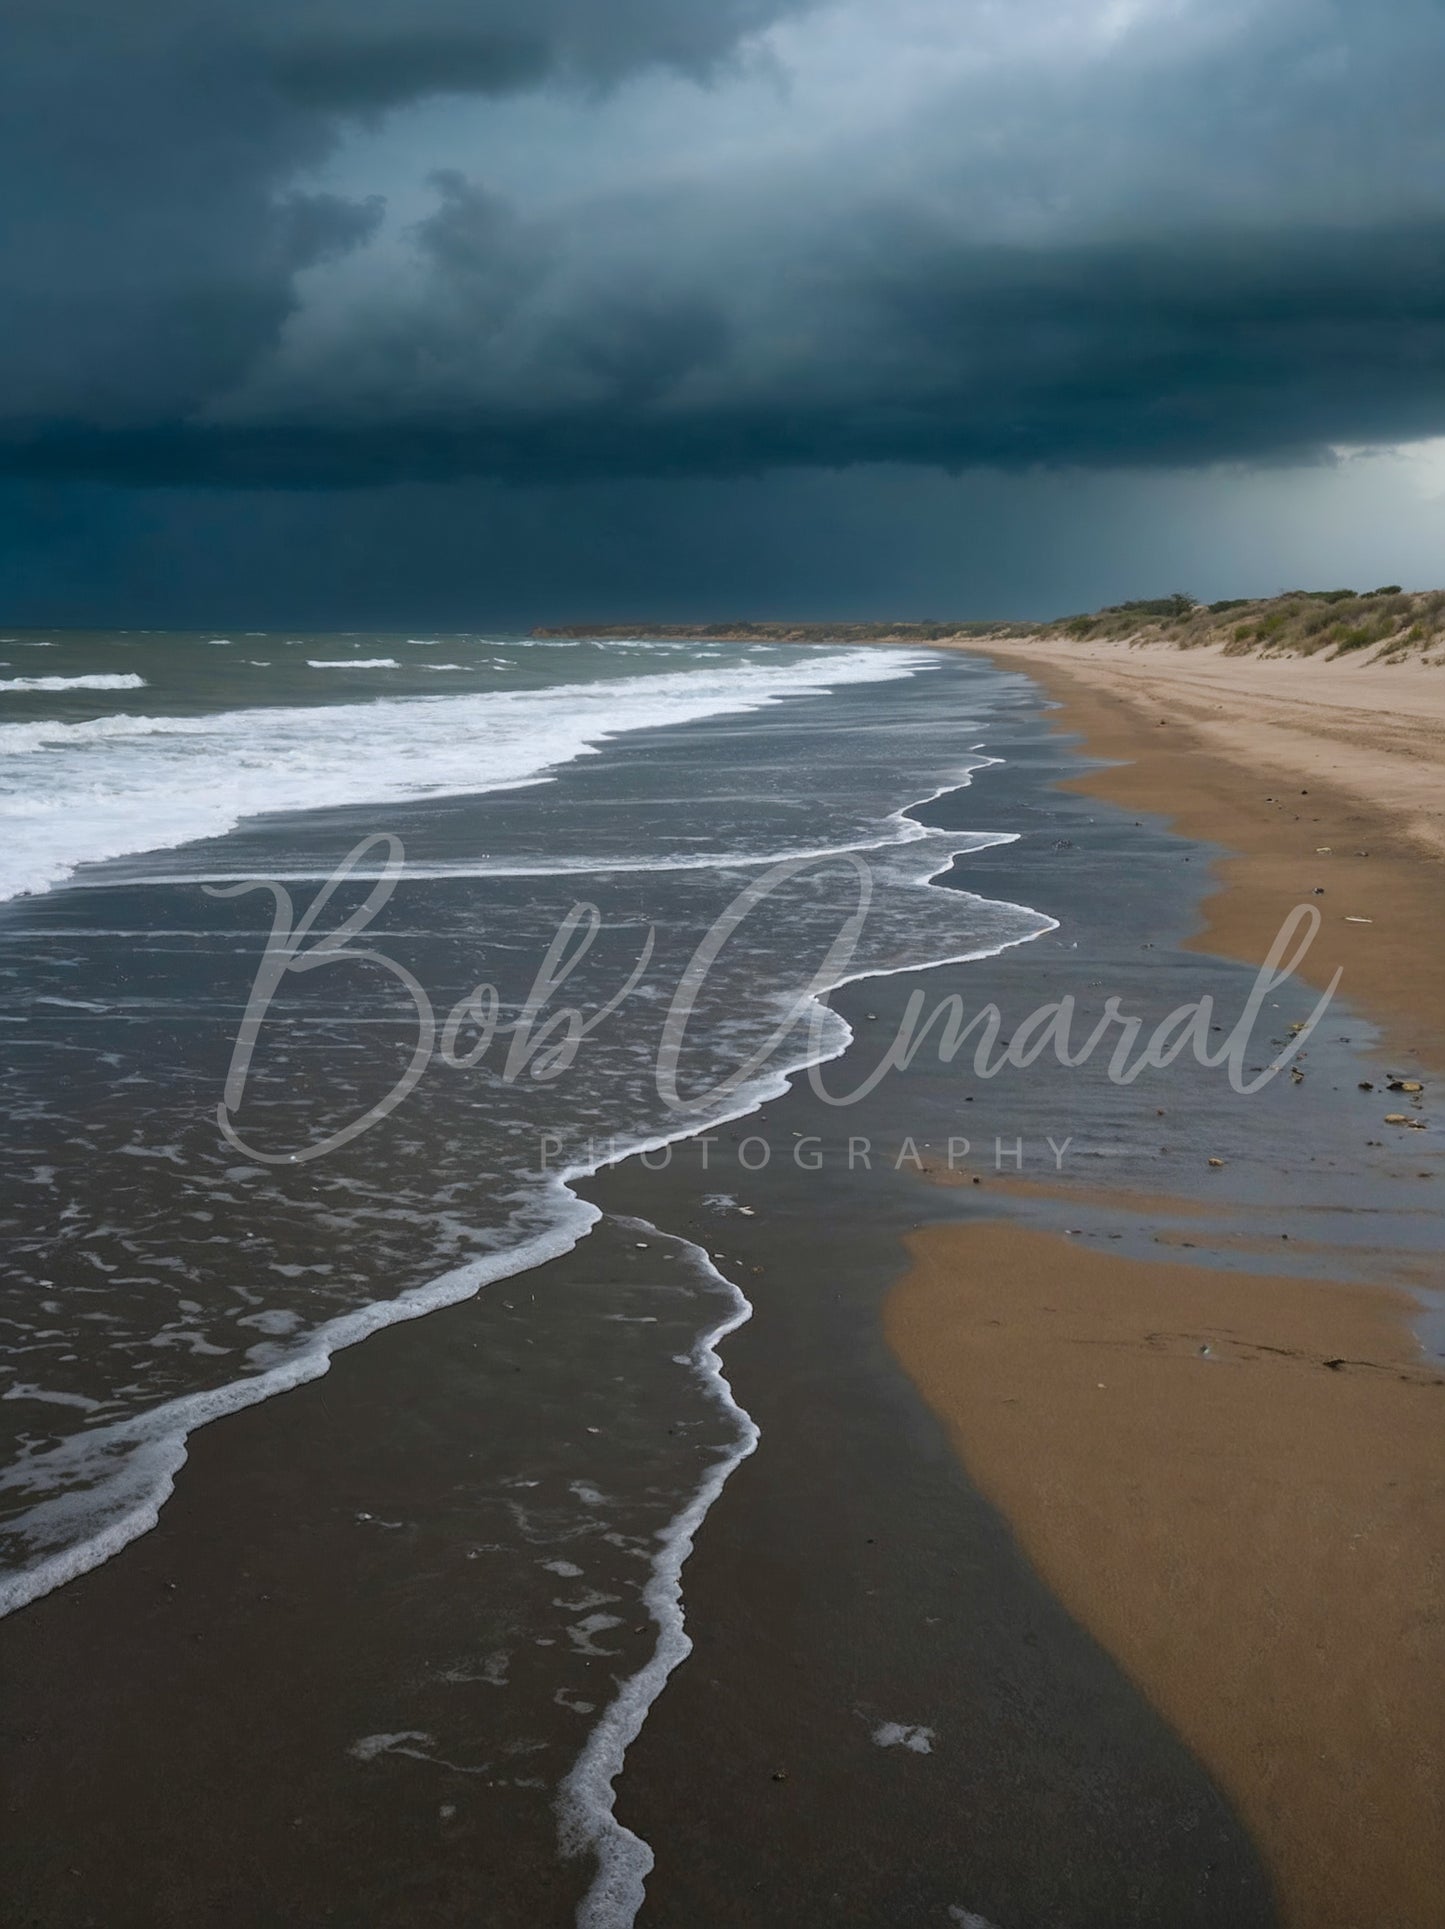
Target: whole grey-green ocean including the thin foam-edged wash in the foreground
335 962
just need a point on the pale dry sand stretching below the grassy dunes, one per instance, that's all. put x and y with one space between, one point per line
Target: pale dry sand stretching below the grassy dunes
1297 769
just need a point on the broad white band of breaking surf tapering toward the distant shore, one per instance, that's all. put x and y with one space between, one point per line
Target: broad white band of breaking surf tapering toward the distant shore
76 794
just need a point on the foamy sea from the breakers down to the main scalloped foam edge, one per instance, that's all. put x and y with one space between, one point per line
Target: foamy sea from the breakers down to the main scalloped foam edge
165 1270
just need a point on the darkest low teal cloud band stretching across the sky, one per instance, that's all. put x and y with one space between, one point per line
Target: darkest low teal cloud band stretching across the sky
1116 356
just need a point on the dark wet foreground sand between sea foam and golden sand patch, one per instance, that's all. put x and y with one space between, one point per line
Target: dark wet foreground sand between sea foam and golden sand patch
182 1724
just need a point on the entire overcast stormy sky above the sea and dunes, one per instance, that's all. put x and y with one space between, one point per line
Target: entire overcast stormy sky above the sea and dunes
506 312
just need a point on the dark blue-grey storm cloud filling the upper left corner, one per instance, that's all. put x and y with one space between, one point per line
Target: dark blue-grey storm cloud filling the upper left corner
150 236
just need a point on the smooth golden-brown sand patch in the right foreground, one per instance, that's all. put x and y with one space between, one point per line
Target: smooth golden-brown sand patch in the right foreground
1247 1529
